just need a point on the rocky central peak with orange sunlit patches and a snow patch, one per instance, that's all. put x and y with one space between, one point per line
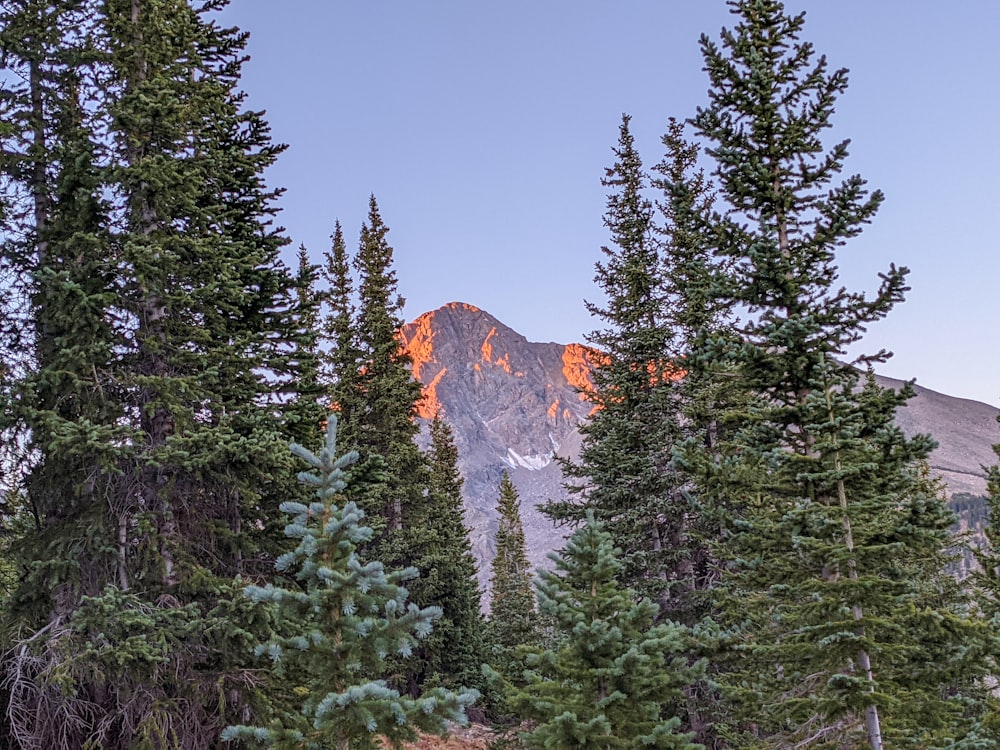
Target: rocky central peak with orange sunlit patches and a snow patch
514 405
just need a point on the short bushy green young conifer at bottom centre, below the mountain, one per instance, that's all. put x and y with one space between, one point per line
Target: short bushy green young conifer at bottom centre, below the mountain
611 674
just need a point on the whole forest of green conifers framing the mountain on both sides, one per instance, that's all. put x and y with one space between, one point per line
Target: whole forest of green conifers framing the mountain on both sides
219 529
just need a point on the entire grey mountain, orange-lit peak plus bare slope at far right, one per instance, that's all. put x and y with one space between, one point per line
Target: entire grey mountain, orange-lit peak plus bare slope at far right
514 405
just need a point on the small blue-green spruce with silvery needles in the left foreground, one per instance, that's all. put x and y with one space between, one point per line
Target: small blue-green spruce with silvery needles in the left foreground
336 627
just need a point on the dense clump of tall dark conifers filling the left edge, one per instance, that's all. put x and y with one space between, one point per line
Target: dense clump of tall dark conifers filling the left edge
160 253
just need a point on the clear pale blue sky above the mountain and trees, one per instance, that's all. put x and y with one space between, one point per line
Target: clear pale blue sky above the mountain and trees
483 128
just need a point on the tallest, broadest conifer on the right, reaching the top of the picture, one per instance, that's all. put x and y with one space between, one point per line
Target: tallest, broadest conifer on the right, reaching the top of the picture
829 520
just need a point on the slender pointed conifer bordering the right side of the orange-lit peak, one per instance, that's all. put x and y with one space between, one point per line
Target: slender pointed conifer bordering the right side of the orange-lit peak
624 461
